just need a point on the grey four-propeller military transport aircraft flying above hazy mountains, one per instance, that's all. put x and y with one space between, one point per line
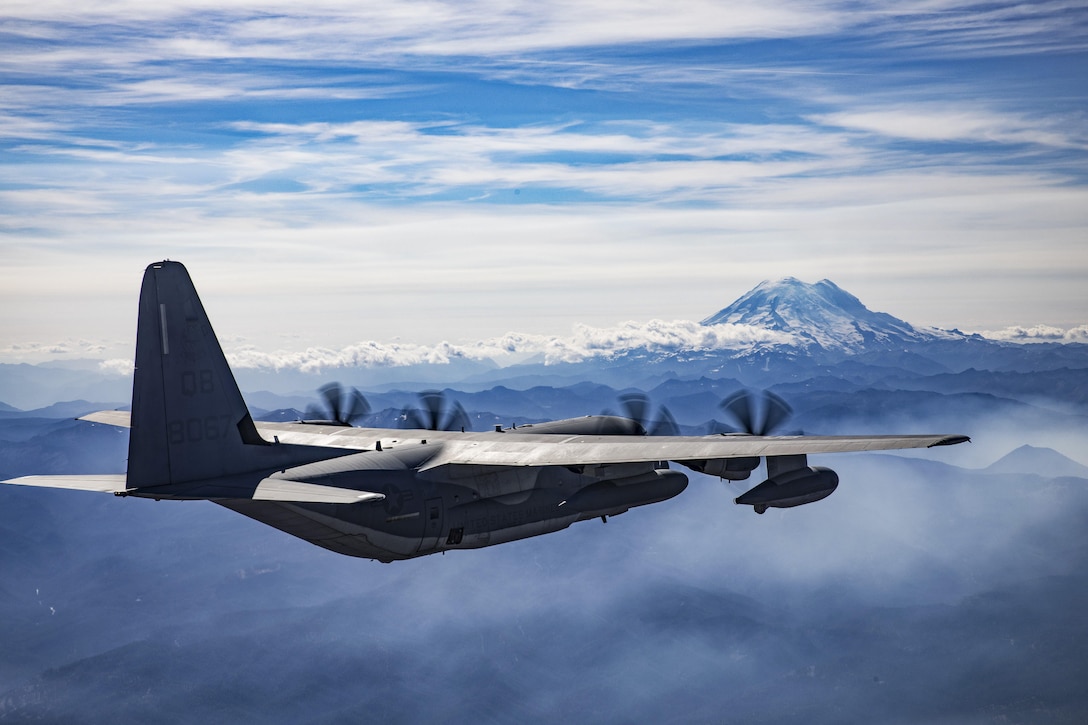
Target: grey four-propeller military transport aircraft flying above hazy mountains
393 495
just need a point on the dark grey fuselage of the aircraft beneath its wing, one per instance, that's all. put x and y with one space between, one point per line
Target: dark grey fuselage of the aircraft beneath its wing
422 515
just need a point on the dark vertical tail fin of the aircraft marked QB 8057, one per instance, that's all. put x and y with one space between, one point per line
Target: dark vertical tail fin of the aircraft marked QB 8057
189 420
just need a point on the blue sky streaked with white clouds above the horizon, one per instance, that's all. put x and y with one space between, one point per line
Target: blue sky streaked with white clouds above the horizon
440 171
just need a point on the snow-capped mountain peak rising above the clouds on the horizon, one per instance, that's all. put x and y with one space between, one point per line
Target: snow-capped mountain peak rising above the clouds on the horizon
823 315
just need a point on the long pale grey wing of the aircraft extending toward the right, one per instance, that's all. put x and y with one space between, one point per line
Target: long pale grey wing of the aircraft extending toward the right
590 450
